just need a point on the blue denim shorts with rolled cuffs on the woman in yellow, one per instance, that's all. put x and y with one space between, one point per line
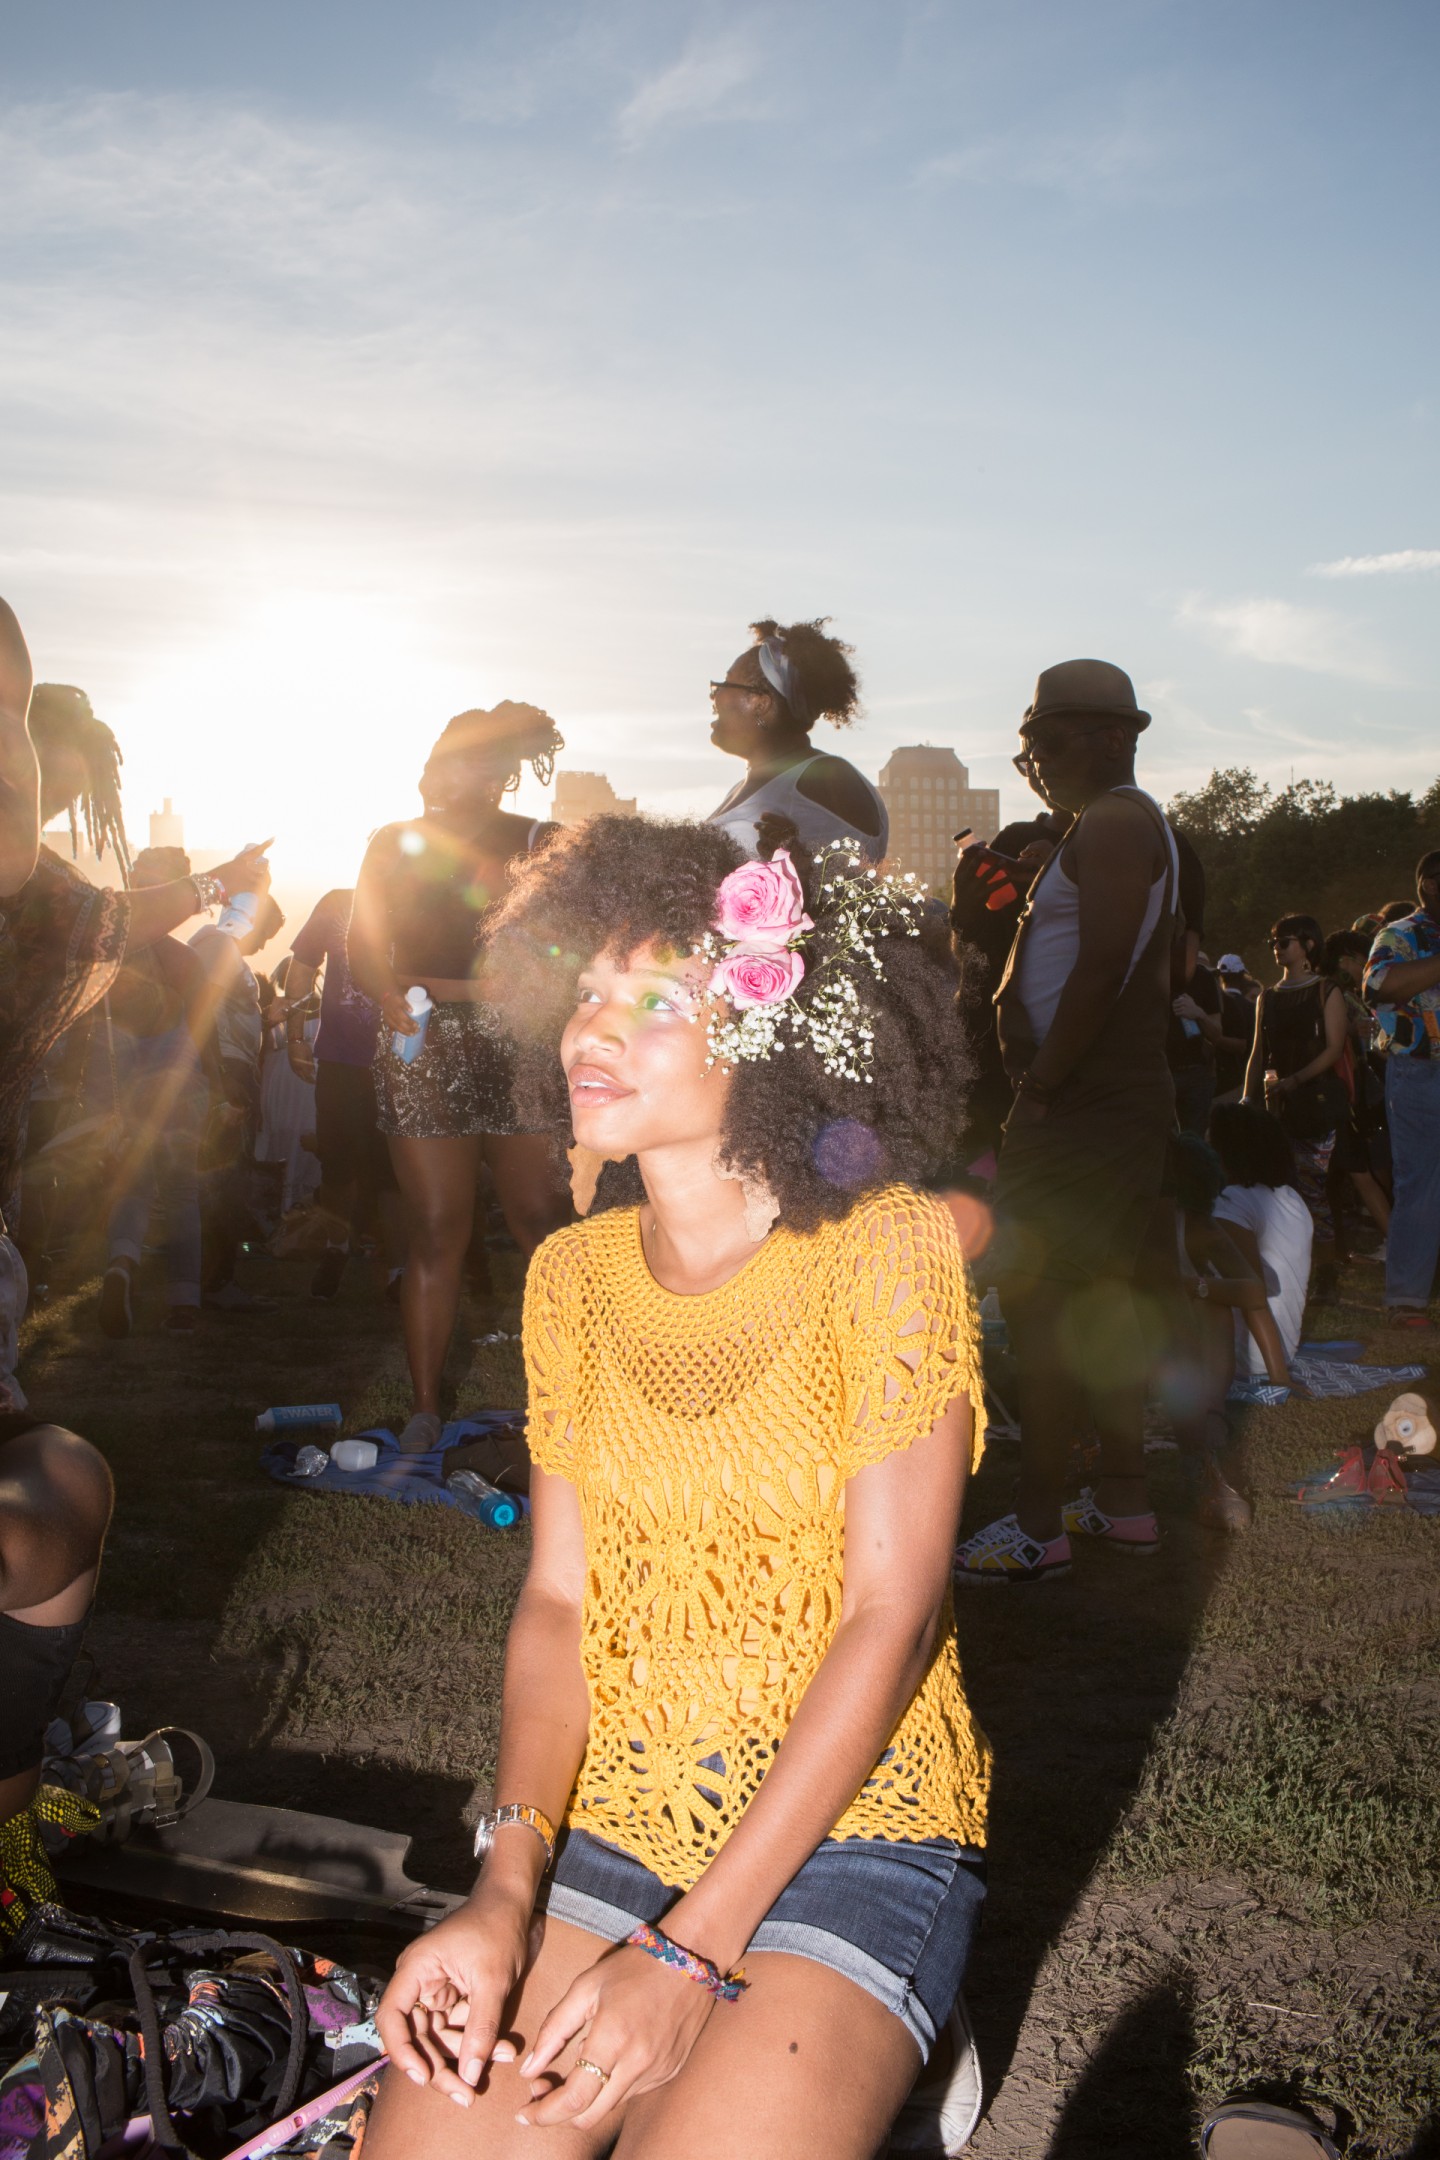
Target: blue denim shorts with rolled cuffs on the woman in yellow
895 1919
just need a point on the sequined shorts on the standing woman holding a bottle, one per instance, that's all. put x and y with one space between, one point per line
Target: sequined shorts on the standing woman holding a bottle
459 1085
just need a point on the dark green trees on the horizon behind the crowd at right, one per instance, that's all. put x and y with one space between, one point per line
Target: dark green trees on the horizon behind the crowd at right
1303 850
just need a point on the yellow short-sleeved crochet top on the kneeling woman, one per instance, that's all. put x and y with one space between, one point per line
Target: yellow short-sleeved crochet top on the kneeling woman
709 1440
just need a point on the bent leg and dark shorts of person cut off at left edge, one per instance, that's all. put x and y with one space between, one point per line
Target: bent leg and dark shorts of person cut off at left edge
55 1511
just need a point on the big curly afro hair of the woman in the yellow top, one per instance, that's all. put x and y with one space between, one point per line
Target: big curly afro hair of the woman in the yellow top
817 1139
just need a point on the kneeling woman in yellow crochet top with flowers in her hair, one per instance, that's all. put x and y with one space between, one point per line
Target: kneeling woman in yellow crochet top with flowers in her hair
733 1675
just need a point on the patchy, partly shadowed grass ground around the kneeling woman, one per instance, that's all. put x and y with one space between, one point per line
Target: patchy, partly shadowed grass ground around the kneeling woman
1217 1831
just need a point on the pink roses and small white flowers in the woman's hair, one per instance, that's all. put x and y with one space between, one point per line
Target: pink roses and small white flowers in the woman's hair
763 947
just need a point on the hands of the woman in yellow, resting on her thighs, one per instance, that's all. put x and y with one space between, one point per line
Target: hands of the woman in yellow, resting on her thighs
627 2014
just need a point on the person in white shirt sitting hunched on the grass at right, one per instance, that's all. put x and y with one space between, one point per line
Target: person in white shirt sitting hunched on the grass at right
1268 1221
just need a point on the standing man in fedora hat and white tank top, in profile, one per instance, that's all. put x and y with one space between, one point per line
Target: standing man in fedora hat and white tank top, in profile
1085 1005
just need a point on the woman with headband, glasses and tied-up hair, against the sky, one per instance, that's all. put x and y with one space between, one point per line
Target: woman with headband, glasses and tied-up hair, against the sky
765 707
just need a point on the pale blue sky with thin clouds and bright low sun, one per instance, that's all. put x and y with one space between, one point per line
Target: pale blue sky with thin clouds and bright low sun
366 362
